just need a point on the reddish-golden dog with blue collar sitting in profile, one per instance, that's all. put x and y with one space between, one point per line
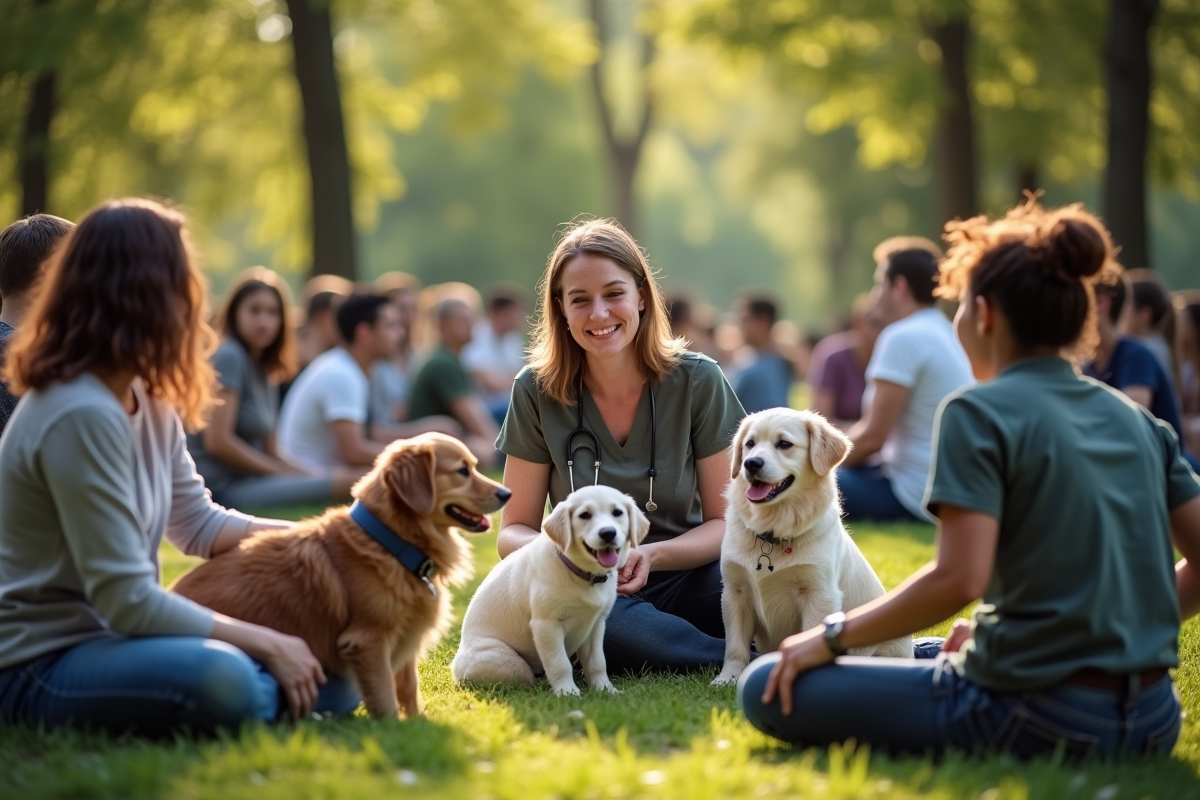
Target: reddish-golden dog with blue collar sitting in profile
365 616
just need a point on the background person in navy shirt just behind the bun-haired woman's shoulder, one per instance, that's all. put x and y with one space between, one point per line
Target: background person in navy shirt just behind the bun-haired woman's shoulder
1129 365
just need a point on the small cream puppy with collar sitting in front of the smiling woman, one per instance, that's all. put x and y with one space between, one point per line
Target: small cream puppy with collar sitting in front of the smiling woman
551 598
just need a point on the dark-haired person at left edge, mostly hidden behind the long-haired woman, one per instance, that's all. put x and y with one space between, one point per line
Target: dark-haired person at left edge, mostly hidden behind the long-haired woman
26 248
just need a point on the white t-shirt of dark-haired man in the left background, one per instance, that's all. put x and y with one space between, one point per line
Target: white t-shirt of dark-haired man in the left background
333 388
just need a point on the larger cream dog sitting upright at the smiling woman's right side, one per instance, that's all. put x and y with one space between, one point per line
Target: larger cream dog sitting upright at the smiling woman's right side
788 562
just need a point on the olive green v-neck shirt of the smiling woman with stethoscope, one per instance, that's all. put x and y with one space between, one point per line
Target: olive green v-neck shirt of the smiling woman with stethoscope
698 417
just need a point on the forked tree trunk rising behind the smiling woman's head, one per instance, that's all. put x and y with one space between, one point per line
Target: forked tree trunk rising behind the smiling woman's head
623 155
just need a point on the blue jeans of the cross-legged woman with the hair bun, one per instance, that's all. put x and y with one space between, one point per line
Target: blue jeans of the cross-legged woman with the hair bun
901 706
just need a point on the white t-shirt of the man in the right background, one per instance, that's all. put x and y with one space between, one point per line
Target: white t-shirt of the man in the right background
921 354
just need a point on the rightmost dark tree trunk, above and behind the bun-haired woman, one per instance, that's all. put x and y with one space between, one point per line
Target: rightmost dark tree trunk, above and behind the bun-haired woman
1127 67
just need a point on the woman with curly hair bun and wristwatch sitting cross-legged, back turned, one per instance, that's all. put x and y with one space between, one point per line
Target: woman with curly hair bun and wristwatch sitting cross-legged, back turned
1065 533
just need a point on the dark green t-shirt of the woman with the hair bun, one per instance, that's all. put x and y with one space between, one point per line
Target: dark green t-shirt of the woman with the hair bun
1083 482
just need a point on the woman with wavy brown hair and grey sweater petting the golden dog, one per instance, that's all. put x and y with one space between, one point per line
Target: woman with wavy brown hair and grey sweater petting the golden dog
93 473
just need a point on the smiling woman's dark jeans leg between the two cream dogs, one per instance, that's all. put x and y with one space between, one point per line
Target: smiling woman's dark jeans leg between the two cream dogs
673 625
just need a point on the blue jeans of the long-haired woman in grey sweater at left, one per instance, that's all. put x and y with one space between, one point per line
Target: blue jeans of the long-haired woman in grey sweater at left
152 687
